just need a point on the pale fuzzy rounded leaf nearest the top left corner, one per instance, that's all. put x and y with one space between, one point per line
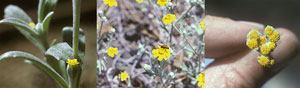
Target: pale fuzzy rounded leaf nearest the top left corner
12 11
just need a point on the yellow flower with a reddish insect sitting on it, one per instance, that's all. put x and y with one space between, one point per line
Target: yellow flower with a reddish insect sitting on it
161 53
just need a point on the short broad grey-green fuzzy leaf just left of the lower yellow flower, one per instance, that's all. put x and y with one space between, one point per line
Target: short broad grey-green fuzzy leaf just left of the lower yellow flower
60 51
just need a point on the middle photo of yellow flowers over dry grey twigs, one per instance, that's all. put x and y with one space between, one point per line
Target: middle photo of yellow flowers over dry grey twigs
150 43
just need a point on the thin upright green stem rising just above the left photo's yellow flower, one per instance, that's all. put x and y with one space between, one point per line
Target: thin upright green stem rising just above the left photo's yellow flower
76 21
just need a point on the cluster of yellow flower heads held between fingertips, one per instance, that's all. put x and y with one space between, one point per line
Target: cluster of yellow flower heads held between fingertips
265 43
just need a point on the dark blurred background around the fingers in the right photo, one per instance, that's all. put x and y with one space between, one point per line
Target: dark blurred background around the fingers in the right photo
278 13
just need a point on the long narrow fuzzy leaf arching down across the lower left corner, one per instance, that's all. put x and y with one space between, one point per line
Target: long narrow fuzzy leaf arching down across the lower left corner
37 62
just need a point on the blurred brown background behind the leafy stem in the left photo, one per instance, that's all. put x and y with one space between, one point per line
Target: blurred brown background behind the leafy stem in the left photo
17 74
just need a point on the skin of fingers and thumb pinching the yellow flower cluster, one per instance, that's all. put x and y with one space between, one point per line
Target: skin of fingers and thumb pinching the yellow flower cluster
235 64
